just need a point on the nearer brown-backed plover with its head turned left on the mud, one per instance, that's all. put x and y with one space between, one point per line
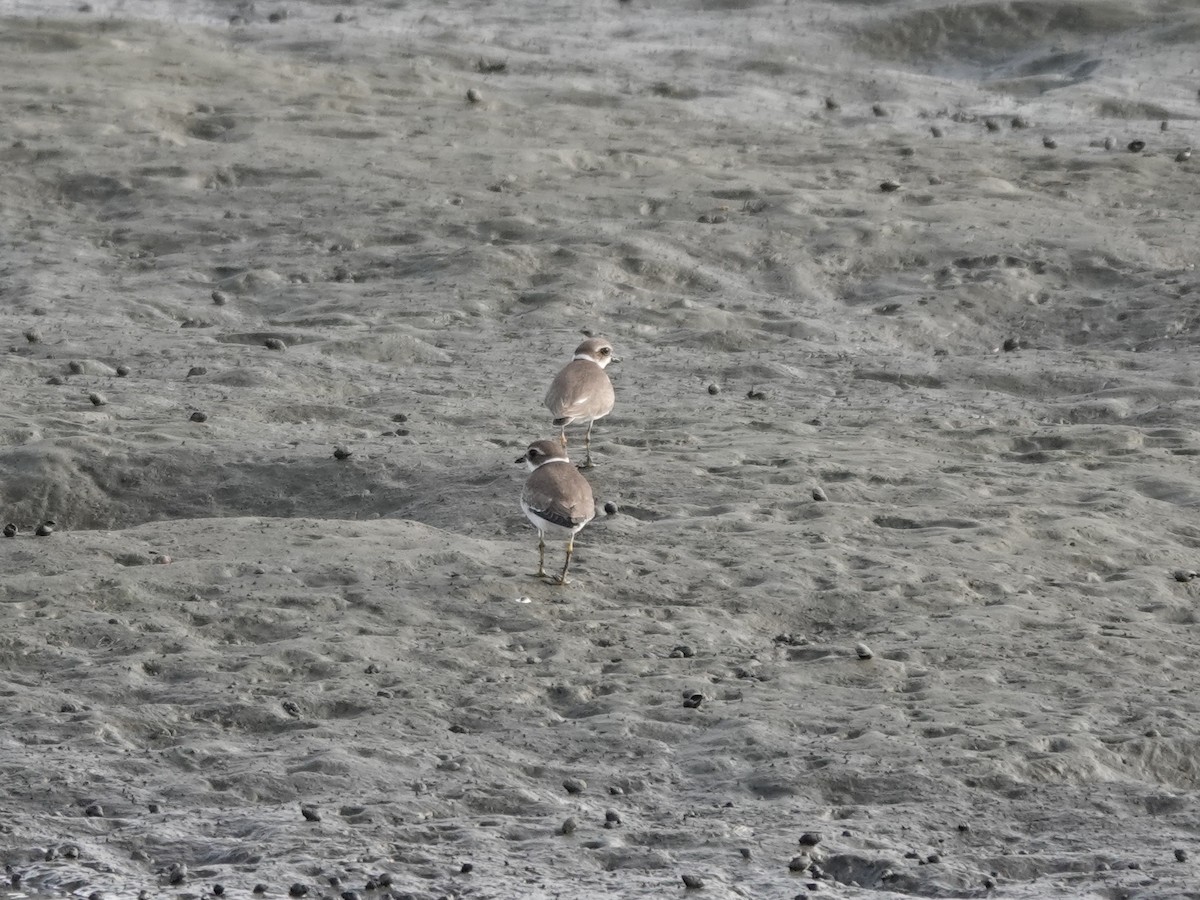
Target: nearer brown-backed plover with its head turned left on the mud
556 499
